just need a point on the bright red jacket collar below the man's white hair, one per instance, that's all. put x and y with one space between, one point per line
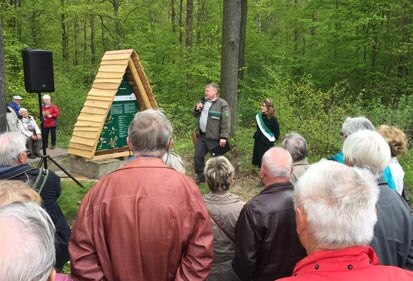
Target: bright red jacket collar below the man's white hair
353 258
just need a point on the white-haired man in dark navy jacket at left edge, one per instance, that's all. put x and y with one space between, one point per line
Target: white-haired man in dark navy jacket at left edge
13 166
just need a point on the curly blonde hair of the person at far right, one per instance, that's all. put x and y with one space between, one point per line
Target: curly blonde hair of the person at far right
396 139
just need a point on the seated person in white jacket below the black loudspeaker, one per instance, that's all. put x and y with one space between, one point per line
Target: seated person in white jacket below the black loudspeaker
32 132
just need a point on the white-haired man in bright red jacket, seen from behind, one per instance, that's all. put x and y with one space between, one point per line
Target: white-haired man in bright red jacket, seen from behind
335 214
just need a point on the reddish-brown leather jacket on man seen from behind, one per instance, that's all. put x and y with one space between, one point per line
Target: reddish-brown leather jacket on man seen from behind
144 221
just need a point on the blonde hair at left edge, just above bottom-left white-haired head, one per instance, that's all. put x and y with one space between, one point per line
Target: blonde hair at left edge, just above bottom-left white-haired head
12 191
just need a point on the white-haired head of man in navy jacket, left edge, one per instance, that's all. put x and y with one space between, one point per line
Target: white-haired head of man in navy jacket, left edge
11 145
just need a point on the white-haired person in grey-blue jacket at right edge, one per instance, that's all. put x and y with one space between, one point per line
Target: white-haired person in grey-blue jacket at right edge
393 233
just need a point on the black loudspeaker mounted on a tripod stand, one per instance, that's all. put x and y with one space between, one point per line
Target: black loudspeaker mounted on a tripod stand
38 71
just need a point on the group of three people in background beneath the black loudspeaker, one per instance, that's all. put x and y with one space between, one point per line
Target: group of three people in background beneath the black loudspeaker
19 120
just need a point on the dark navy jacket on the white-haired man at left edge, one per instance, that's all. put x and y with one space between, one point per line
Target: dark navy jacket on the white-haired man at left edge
50 194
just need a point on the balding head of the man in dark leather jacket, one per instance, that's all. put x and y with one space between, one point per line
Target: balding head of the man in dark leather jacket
277 162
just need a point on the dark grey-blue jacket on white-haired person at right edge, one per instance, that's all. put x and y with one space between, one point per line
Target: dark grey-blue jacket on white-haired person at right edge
393 232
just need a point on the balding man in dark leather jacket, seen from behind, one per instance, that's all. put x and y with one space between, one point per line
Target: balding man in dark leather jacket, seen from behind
266 243
